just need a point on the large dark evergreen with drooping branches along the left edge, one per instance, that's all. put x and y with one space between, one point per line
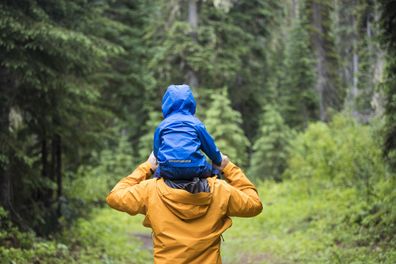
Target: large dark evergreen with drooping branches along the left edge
46 59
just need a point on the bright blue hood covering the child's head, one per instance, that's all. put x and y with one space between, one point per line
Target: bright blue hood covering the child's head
178 99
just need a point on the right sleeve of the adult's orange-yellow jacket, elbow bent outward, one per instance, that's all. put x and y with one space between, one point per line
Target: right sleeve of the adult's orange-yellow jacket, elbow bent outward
244 200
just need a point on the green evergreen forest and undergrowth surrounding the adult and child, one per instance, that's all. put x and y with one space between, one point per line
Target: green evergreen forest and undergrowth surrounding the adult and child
301 94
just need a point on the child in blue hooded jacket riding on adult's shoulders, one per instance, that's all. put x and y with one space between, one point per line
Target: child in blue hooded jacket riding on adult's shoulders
180 136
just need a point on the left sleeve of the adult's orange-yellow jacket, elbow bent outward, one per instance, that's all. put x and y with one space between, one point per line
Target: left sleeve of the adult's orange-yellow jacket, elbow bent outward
130 193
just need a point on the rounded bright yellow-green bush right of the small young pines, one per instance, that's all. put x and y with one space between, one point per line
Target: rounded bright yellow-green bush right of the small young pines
343 152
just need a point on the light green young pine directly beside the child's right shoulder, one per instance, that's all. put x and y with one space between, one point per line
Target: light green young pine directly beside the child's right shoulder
224 124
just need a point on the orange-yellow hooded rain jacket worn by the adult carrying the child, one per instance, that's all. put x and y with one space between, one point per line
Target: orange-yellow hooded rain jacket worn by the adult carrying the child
186 226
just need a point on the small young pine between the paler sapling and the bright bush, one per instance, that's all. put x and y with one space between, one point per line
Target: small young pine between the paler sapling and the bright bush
270 149
